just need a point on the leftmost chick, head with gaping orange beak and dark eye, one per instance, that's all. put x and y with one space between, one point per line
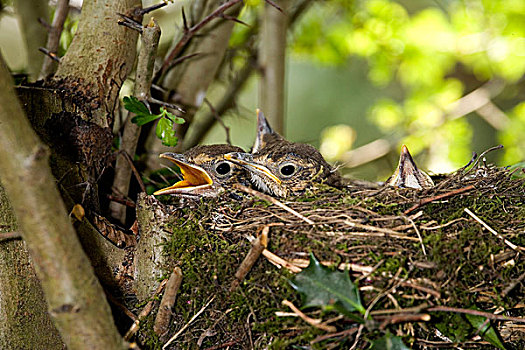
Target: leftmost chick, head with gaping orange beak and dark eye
205 171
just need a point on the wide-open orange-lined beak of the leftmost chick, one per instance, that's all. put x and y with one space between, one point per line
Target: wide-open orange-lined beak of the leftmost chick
196 180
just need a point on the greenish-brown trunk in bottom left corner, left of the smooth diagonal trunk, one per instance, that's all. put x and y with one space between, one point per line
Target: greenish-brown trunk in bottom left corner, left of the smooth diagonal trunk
23 308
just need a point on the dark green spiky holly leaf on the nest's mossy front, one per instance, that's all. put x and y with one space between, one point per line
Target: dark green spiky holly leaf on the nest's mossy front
326 288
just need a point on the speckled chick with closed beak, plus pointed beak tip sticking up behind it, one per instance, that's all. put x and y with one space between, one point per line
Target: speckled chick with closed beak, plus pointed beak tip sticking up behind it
280 167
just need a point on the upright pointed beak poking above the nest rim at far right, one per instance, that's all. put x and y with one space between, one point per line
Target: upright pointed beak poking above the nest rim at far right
408 175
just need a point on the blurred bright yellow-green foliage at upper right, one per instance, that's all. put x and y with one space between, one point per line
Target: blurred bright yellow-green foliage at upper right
432 54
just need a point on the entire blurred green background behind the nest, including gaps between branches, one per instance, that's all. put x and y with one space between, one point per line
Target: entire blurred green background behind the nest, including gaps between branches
444 77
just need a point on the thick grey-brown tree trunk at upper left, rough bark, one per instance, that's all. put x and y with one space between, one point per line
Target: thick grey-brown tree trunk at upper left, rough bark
100 57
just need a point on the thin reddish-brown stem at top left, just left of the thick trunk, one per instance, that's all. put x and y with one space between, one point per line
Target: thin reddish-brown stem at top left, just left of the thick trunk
53 38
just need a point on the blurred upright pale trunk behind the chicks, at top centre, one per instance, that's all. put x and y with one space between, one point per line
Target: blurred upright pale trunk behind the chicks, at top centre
272 62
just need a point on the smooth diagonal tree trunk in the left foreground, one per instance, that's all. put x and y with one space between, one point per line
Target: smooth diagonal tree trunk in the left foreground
76 301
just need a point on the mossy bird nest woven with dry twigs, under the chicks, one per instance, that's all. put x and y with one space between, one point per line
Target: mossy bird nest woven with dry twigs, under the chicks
428 264
